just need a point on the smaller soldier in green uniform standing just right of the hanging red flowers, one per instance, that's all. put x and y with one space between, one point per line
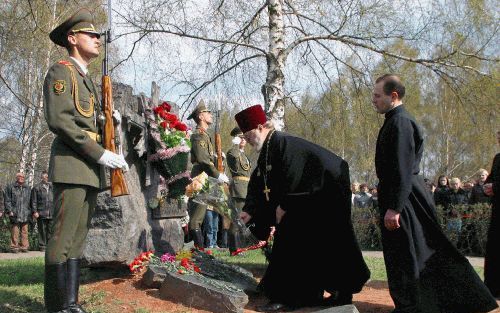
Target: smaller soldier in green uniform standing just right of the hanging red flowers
202 159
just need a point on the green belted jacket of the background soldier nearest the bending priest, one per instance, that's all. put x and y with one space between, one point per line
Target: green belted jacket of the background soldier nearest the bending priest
240 168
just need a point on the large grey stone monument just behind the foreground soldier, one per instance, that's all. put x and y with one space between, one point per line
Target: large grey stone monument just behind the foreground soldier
123 227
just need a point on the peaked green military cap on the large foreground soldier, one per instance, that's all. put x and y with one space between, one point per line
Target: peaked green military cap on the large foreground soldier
80 22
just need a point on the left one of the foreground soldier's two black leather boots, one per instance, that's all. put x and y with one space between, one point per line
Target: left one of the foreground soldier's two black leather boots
54 291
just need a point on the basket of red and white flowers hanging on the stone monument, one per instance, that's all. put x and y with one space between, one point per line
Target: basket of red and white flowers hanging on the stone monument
172 147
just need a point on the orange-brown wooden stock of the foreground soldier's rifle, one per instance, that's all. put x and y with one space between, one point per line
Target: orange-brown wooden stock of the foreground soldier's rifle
118 183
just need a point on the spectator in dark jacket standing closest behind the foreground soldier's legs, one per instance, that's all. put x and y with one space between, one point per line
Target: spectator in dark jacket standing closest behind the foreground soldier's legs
43 208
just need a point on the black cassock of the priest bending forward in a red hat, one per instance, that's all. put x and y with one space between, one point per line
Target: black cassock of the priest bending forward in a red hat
314 247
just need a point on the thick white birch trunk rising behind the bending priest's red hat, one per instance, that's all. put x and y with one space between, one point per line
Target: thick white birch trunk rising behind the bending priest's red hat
273 89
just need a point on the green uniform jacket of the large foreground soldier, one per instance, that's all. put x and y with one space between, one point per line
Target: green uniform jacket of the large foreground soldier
74 153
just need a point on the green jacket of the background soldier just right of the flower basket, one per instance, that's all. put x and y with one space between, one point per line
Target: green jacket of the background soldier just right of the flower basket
202 154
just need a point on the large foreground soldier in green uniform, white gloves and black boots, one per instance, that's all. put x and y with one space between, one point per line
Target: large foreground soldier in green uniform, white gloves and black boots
71 105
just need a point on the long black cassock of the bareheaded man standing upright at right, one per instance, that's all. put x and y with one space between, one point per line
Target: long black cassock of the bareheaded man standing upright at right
426 273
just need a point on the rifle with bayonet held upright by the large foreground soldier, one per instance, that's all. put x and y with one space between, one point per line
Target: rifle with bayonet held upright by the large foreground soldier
111 133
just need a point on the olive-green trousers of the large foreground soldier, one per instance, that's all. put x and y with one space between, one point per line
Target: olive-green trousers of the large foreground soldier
73 208
